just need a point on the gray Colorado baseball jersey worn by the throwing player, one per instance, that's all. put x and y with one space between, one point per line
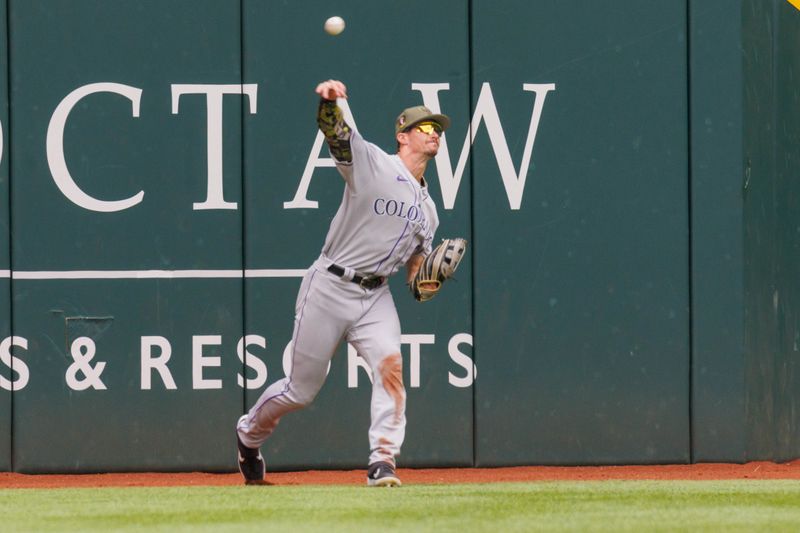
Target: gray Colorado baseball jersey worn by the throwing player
385 216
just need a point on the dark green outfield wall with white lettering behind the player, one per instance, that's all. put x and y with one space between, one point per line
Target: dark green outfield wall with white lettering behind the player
625 172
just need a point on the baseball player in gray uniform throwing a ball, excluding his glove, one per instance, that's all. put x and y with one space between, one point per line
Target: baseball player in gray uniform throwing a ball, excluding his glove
386 220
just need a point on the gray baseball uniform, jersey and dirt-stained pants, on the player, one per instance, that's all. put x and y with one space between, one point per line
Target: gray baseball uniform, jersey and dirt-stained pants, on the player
385 217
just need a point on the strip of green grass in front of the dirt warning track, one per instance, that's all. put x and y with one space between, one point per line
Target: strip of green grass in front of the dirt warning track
552 506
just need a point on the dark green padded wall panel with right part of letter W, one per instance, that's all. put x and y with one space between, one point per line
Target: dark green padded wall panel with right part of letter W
582 319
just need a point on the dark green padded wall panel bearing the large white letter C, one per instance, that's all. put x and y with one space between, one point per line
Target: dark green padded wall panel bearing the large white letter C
118 237
